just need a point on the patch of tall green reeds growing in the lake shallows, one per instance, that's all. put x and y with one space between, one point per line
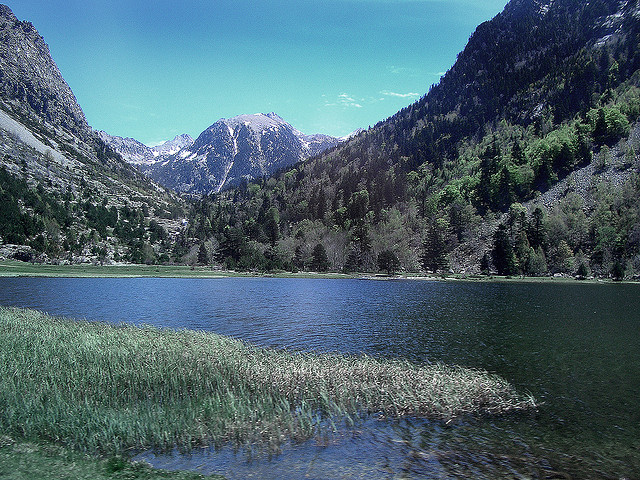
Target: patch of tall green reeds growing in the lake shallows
108 388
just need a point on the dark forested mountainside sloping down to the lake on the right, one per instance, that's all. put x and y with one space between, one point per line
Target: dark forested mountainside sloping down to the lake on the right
522 160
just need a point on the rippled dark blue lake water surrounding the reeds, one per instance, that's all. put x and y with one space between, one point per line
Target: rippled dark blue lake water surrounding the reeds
574 347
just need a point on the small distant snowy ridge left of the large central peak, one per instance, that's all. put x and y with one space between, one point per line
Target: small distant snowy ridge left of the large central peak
142 156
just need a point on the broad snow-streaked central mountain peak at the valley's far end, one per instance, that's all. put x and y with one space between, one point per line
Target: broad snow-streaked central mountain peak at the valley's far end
230 150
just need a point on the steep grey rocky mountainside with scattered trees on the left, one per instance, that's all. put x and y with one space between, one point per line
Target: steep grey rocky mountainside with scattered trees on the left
65 194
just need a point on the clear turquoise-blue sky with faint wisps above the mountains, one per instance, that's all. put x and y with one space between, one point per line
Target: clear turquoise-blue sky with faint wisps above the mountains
154 69
